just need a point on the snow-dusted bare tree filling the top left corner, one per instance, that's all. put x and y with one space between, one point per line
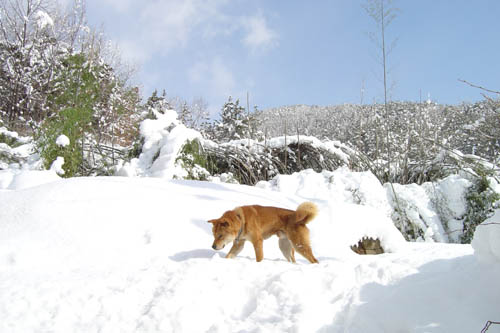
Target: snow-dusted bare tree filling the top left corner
34 40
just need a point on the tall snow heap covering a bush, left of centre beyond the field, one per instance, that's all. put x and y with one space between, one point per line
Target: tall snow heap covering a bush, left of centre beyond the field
163 140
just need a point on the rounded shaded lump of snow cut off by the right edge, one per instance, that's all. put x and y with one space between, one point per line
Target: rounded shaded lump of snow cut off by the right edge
486 241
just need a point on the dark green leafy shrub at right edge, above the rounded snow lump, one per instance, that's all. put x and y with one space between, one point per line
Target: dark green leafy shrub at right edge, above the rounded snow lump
481 203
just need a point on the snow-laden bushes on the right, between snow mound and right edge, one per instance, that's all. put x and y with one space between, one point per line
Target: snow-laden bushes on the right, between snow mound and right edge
446 210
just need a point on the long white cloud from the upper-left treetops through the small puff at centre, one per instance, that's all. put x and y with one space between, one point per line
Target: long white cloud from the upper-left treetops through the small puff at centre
158 27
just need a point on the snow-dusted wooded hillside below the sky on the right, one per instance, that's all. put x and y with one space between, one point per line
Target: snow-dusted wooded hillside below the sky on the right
427 141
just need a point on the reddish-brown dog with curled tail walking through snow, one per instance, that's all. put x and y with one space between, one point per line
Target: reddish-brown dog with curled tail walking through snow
256 223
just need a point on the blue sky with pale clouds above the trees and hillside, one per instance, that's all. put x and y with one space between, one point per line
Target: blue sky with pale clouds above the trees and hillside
317 52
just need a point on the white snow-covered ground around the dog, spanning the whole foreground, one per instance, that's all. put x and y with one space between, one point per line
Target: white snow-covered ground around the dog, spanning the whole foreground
133 255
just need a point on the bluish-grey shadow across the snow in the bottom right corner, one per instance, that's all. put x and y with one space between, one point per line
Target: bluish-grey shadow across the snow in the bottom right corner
445 295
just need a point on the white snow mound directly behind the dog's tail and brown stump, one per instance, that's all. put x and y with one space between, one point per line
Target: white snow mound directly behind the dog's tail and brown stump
354 205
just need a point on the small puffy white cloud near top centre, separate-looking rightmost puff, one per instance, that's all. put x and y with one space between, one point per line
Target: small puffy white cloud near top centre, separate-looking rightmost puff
258 34
